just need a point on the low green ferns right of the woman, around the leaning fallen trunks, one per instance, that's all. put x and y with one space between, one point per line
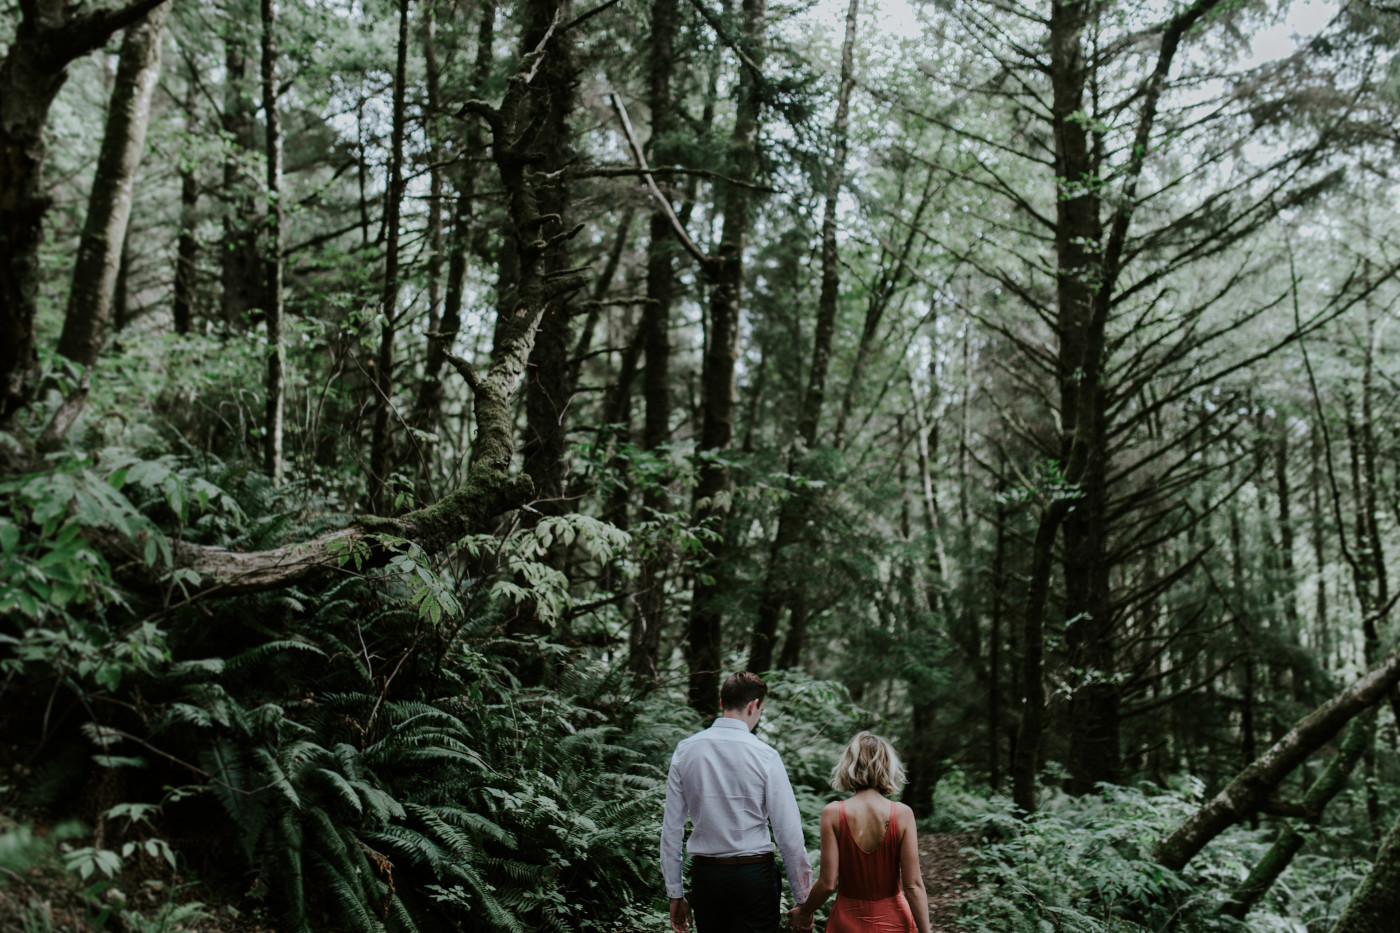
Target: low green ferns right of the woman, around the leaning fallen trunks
1086 866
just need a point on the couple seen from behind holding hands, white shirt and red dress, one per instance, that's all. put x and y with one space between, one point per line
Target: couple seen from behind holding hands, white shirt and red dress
733 785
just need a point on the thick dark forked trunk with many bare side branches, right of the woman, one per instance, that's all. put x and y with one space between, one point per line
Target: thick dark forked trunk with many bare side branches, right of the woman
1090 256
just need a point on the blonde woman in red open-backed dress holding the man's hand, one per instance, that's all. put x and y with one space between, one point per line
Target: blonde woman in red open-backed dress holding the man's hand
870 850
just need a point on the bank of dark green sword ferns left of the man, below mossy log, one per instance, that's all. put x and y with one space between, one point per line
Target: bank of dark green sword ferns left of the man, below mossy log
376 778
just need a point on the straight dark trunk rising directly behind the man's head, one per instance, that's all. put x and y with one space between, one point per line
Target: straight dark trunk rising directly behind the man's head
712 498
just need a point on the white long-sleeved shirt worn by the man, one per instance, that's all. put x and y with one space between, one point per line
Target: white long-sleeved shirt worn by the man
733 785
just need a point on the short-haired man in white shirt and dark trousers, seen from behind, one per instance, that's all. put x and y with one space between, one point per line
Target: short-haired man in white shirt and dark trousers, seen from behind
733 785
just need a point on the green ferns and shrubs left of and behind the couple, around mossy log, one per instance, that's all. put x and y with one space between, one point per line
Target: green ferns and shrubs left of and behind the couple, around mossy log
356 754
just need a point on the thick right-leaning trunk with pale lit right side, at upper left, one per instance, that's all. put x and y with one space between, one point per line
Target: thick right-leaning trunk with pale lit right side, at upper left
114 187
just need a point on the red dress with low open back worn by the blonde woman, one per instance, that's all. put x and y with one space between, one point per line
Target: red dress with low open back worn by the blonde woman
869 896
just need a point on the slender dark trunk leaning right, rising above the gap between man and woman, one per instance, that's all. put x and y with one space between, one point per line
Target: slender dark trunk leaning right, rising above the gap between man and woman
797 508
